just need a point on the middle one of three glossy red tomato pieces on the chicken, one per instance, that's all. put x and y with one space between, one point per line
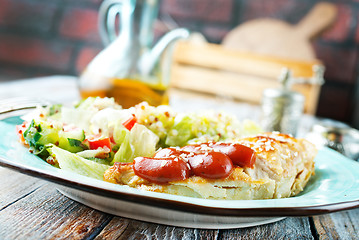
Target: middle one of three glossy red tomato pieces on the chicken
210 164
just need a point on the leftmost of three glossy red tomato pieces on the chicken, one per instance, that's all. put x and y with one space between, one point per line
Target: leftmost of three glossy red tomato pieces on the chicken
161 170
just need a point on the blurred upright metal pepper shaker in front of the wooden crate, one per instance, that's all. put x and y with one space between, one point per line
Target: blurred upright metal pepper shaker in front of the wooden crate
282 108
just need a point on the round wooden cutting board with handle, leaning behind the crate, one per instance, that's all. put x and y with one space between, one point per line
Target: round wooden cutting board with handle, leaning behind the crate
277 38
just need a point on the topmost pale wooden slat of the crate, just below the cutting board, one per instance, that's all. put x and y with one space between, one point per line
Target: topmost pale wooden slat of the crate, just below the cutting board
216 57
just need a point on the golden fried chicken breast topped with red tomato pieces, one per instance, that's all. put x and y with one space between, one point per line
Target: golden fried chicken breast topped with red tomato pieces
282 168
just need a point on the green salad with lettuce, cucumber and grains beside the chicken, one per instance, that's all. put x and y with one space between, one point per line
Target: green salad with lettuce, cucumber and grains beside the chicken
90 136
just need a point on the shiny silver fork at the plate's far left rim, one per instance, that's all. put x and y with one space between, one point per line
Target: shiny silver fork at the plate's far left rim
20 103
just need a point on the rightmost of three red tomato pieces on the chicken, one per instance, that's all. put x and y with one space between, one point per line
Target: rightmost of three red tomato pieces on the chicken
240 155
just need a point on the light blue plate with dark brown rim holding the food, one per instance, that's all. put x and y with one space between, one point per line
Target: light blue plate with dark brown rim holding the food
334 187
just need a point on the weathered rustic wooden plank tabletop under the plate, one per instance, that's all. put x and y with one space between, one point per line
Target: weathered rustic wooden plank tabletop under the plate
31 208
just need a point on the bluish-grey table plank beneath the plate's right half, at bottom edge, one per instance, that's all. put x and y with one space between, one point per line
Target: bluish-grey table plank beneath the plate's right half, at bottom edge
289 228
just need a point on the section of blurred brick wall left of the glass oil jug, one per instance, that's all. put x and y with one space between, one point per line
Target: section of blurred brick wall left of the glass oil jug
40 37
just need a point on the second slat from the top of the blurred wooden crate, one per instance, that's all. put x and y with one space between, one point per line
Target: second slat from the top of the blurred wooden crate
243 87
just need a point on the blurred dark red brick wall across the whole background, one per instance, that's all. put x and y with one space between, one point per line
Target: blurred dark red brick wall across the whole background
41 37
